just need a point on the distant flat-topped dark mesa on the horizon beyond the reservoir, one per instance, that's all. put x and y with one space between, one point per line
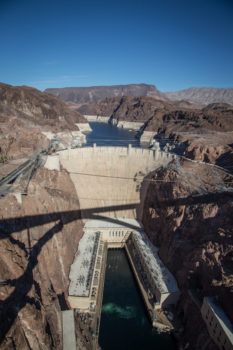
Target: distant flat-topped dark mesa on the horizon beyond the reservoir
94 93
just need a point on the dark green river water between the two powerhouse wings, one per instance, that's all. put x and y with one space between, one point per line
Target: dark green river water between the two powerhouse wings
124 322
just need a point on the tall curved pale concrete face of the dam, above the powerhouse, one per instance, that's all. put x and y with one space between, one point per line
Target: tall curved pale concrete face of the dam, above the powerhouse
108 179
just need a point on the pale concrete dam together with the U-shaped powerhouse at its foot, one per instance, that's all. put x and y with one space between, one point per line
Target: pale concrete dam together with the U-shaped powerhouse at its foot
108 183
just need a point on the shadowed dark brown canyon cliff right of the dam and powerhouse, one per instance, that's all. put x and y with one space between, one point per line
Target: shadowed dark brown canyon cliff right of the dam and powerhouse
189 215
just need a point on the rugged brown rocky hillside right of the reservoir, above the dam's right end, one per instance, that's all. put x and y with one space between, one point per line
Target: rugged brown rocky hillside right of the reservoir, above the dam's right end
203 135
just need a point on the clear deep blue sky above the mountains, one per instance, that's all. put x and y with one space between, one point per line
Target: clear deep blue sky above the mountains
173 44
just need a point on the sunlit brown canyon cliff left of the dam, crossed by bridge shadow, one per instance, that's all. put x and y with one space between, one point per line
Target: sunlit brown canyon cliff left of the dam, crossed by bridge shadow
36 251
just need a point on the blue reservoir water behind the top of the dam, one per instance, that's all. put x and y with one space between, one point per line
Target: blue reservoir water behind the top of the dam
104 134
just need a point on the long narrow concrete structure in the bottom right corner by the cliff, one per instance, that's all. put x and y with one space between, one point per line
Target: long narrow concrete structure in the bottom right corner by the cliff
218 324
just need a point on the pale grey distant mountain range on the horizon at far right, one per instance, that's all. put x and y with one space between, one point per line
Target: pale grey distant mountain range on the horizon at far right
202 95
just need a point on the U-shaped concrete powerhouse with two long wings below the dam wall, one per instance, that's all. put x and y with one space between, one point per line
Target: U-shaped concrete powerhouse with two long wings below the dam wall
160 289
